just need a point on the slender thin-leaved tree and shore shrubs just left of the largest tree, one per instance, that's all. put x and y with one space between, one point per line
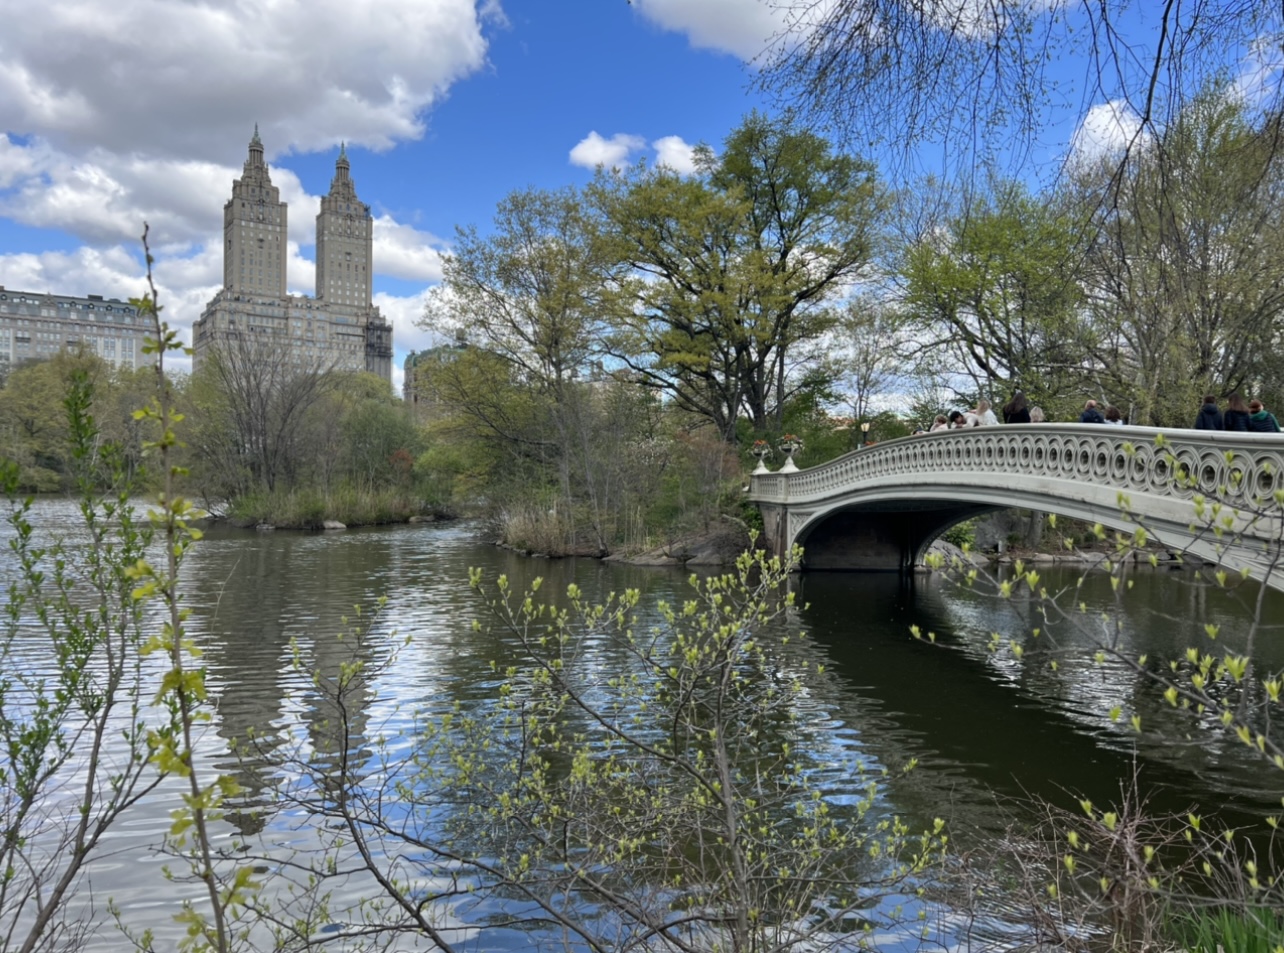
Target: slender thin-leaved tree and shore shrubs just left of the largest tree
559 439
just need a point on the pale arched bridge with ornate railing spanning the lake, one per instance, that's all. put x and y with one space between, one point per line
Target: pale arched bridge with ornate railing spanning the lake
880 508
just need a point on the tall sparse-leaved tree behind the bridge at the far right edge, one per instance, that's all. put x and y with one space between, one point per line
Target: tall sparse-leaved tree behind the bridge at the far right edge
1187 274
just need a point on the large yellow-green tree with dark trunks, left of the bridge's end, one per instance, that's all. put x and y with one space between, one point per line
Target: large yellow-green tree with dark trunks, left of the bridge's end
733 268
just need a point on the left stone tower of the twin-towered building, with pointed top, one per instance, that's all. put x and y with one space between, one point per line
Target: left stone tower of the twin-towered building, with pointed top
255 231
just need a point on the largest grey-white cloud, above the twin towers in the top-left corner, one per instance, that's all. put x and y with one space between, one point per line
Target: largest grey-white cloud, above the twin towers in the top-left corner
183 78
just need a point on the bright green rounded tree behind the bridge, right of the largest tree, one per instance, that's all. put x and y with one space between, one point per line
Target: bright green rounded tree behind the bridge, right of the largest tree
994 291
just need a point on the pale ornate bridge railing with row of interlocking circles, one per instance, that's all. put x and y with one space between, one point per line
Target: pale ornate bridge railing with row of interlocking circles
1240 467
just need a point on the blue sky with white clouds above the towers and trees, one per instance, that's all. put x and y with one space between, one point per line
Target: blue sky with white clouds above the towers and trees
117 111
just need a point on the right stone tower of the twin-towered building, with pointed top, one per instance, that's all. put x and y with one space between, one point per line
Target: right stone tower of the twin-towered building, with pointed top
345 242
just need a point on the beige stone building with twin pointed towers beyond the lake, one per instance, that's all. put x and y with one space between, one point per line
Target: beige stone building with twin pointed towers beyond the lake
341 328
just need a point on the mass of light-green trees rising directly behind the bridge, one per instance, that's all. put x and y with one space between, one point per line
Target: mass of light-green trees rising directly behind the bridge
1143 282
